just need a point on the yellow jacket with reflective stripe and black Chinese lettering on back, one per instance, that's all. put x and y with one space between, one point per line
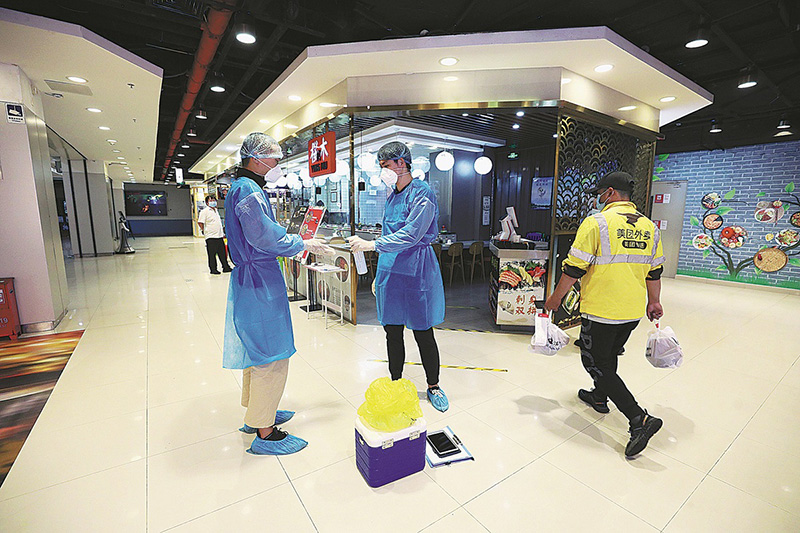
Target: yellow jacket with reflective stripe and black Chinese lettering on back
617 248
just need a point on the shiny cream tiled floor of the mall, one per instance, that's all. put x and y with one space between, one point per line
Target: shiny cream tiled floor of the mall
140 434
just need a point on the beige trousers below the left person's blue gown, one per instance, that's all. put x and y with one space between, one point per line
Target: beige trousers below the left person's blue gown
262 388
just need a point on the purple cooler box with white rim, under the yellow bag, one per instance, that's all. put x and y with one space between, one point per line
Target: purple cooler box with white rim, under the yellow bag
385 457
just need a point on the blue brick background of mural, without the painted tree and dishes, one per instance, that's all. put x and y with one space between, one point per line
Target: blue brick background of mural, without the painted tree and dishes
749 170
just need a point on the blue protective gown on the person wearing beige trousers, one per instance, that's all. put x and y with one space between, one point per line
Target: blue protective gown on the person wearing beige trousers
258 326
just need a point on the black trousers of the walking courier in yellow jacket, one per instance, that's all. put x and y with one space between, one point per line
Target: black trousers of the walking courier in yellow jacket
600 347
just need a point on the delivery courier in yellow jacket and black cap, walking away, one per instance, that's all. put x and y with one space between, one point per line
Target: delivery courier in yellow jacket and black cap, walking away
617 255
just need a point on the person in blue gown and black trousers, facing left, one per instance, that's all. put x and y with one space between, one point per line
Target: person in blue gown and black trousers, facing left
408 282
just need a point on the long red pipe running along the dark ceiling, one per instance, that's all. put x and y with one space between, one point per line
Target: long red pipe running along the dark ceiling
213 30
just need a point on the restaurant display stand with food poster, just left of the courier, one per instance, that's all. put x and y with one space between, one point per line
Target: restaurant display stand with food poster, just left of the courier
516 285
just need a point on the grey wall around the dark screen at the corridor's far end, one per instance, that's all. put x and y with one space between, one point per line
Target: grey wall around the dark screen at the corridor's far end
178 220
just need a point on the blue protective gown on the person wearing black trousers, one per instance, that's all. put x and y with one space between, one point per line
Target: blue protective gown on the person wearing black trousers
408 282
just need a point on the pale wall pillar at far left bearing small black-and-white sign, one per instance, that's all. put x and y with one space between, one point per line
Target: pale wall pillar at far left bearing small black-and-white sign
30 242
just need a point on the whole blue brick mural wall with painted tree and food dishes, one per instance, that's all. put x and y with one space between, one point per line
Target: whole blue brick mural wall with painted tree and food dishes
755 189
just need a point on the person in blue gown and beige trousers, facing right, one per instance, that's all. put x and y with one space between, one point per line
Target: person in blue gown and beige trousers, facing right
258 327
